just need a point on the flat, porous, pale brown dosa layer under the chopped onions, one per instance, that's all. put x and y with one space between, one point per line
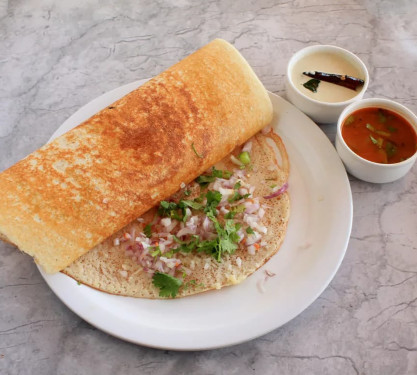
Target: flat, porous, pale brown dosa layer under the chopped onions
110 268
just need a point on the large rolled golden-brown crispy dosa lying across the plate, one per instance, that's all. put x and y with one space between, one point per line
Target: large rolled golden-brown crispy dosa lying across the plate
71 194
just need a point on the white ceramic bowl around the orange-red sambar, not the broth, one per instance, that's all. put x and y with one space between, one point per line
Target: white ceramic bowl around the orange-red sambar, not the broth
364 169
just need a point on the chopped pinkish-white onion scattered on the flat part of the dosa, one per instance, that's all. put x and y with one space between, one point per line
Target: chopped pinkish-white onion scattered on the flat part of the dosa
158 253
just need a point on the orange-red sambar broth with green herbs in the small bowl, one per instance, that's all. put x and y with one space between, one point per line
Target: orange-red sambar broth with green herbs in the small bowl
379 135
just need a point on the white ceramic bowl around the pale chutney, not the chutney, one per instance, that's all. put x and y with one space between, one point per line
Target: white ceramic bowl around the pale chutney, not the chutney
318 111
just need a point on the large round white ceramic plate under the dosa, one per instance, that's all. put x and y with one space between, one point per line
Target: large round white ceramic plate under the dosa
316 241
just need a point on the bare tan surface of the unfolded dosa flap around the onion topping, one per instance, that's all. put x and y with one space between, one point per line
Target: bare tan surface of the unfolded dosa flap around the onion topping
100 268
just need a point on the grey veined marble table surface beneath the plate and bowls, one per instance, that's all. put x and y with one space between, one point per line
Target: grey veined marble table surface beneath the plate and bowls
57 56
